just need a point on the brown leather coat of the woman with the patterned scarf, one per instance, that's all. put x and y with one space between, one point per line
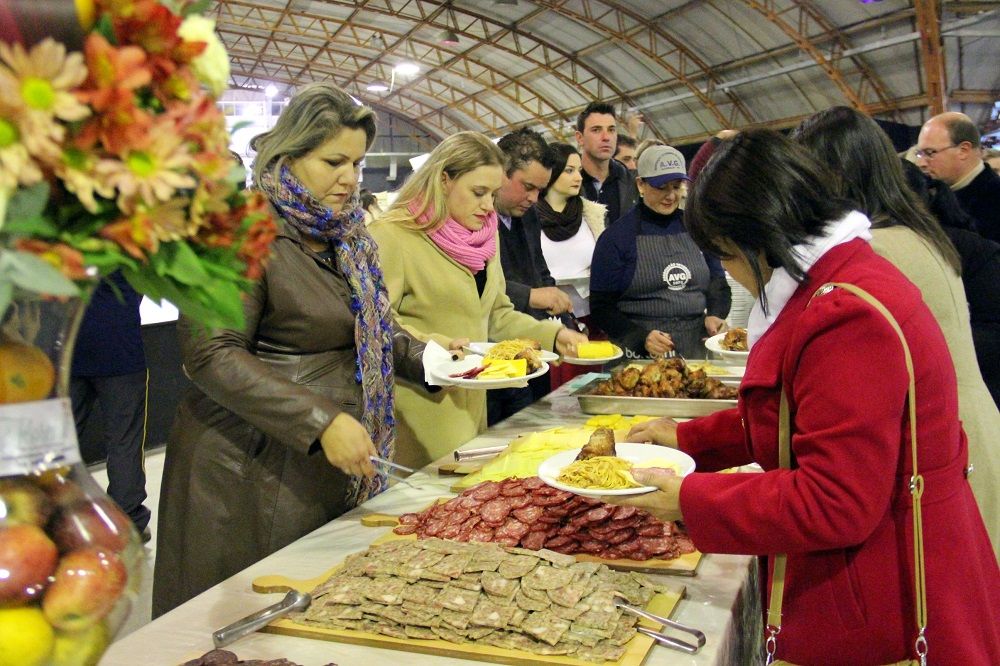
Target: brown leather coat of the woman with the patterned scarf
244 474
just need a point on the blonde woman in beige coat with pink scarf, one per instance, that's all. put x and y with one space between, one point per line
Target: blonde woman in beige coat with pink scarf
438 246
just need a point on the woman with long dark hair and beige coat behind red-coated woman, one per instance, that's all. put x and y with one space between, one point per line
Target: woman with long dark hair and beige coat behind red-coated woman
905 233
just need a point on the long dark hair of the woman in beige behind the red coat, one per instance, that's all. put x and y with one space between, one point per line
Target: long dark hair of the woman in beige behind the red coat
869 173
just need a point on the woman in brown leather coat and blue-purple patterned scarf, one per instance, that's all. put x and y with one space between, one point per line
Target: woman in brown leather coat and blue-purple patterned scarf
274 437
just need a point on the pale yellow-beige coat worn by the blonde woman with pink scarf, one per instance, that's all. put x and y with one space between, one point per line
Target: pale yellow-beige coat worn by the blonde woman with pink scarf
435 298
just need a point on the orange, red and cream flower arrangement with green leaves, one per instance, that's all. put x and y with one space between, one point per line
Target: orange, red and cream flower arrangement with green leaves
117 158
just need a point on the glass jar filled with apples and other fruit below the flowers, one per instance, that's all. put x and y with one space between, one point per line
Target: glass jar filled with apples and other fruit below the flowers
70 559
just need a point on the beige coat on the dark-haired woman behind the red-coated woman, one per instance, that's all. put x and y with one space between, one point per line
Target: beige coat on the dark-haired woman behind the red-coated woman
943 292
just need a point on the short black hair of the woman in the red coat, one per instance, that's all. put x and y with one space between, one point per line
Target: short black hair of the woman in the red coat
760 211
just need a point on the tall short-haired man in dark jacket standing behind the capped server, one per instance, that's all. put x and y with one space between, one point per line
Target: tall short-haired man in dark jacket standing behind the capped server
605 179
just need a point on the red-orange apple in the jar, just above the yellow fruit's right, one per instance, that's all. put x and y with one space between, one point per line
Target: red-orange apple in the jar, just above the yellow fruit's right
86 587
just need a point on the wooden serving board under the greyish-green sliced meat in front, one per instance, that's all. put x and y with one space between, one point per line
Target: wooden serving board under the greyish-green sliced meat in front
662 604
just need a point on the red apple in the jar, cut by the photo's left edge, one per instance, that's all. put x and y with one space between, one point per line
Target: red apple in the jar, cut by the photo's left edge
27 559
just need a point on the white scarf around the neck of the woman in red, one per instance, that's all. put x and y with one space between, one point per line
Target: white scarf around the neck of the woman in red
781 286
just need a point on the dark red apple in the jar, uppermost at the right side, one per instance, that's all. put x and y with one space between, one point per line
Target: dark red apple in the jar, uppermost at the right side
97 522
